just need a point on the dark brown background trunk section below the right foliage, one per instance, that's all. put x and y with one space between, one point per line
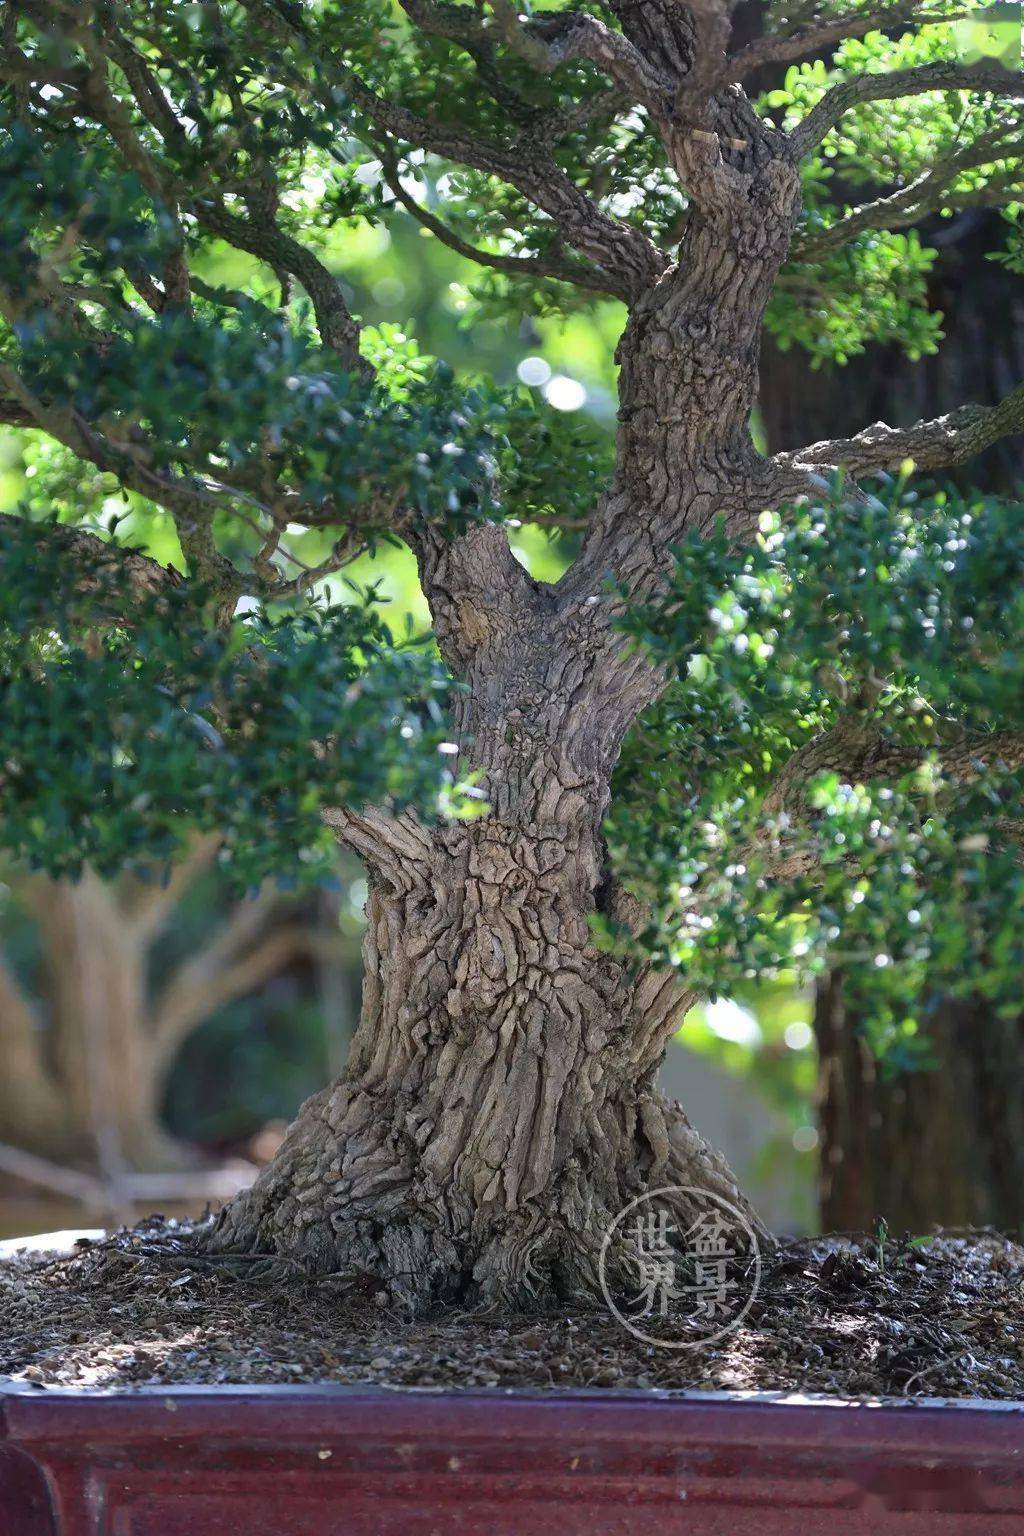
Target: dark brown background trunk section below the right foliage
922 1150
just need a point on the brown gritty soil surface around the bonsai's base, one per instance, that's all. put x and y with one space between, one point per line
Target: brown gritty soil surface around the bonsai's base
856 1319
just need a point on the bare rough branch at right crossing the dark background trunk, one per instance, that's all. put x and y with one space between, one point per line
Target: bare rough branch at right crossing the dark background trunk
931 445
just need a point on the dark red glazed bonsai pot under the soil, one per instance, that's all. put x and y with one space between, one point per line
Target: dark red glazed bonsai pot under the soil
291 1462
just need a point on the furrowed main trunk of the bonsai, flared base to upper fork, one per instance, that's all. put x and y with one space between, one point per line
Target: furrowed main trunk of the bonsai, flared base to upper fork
500 1107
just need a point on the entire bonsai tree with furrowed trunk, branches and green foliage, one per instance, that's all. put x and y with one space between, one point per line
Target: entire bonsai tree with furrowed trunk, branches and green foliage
822 718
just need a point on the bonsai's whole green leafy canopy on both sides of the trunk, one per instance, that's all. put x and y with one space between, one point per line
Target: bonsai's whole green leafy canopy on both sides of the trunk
836 763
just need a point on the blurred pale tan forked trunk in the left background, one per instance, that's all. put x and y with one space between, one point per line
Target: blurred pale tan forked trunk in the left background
87 1085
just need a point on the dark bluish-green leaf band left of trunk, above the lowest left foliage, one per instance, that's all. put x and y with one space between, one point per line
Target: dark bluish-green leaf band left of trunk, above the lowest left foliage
240 388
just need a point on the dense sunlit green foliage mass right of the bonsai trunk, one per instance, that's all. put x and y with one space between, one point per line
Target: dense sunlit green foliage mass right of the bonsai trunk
874 638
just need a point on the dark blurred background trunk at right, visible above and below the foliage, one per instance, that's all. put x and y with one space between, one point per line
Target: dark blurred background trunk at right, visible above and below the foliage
940 1145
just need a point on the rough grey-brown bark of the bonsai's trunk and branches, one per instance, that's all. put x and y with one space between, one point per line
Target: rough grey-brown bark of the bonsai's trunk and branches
500 1097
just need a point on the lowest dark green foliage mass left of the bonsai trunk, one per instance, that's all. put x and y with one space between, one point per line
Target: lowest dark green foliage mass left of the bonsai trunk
127 721
